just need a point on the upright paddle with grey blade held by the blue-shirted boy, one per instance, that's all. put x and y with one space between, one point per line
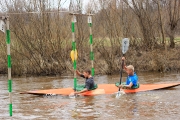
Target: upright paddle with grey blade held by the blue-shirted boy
125 45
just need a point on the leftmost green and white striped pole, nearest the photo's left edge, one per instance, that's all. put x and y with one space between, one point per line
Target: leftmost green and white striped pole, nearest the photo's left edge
8 41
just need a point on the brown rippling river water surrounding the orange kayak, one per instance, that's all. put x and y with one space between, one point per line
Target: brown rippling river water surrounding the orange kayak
151 105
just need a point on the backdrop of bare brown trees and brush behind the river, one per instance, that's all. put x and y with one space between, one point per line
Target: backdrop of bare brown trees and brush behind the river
41 41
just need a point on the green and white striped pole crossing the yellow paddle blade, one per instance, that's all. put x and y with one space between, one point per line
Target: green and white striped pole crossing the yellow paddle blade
74 48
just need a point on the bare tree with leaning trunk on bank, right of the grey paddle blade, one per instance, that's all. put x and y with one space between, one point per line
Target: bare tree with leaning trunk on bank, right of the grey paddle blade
144 10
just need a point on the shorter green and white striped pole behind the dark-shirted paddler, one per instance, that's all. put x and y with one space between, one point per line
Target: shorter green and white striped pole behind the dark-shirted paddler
91 44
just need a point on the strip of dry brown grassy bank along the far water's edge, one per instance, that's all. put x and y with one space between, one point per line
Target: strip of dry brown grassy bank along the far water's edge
156 60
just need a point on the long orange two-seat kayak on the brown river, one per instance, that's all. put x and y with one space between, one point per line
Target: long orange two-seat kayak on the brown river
104 89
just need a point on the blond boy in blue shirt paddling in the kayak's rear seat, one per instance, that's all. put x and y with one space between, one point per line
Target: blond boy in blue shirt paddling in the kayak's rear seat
132 78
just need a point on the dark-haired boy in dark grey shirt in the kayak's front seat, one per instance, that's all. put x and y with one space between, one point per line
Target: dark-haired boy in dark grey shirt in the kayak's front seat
89 83
